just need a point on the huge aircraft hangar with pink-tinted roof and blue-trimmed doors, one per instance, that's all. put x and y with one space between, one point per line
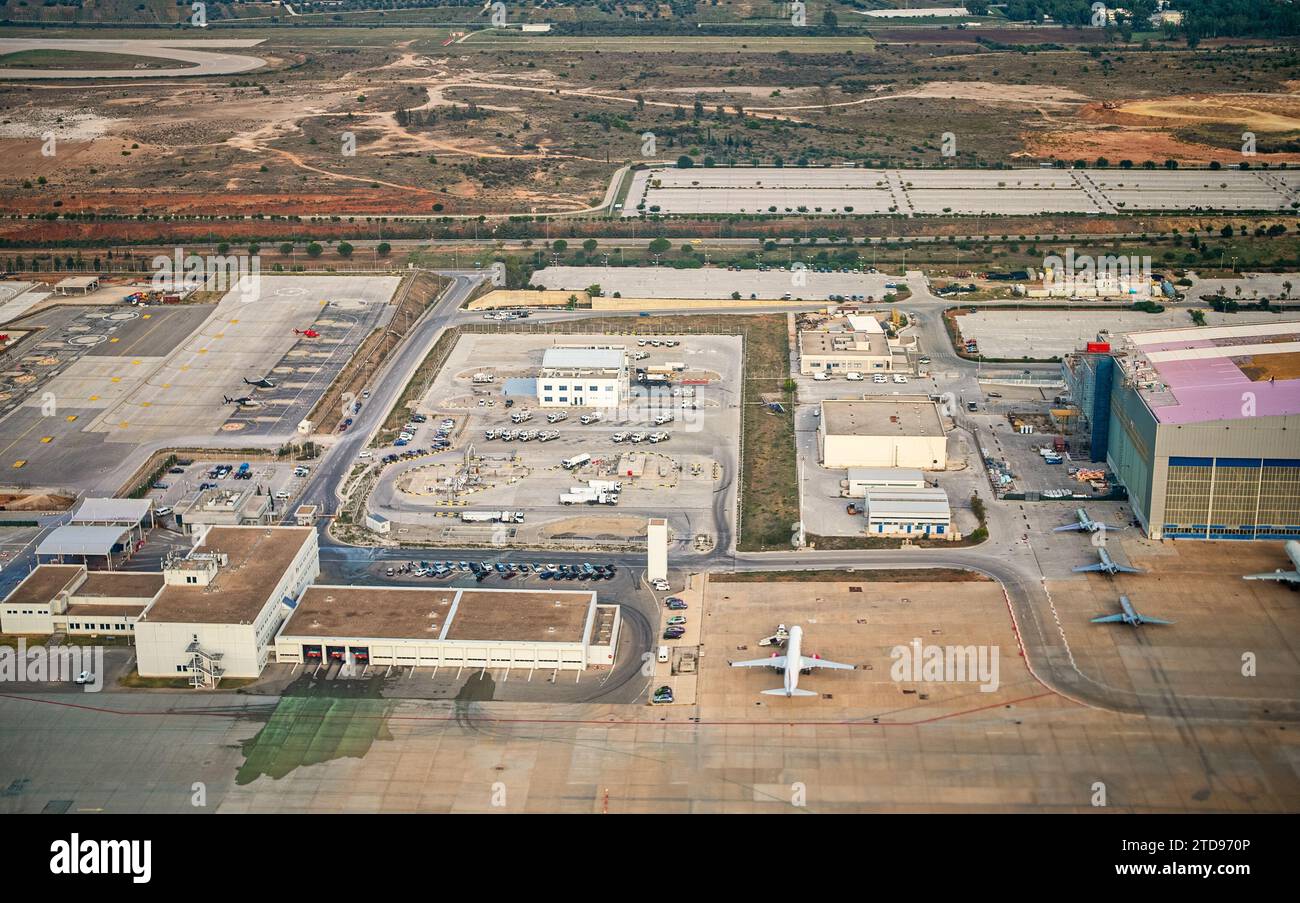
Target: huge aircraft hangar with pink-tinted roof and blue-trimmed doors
1204 431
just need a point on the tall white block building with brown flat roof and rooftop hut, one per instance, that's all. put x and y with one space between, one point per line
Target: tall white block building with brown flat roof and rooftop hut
222 605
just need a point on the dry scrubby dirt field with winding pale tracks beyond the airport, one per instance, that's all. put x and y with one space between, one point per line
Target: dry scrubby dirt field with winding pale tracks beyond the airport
527 128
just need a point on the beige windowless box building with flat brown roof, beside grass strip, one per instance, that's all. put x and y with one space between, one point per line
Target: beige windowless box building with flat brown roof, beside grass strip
883 432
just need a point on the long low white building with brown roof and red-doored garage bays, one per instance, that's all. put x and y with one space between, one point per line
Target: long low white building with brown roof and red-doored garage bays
450 628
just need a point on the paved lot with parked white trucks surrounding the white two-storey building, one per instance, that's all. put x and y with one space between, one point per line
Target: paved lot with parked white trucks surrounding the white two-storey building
688 476
